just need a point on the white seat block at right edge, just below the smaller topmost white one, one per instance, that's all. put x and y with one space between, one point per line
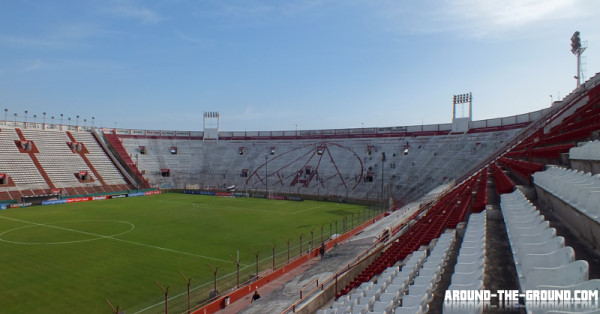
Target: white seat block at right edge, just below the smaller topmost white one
579 189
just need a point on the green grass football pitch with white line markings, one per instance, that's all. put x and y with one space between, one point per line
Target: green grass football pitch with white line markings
70 258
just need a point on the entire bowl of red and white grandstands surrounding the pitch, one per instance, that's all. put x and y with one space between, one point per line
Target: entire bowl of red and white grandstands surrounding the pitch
519 199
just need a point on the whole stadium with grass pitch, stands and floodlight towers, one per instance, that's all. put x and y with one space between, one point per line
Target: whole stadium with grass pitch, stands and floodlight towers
469 216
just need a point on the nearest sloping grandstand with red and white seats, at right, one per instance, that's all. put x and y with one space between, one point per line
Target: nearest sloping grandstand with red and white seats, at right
549 220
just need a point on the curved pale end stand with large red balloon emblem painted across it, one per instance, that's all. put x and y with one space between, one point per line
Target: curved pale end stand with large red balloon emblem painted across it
403 163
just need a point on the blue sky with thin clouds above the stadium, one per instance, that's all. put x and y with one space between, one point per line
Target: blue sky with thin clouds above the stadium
275 65
